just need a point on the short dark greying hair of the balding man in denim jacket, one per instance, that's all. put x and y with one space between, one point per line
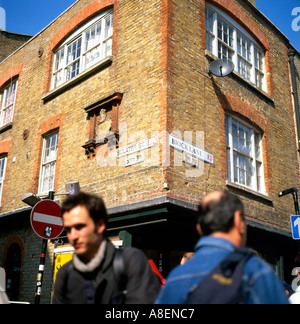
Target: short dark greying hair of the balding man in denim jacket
217 215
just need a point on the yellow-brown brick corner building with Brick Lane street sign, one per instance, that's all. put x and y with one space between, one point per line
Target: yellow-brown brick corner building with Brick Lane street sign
94 97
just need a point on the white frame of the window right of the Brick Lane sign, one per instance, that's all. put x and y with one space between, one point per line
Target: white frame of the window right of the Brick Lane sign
254 155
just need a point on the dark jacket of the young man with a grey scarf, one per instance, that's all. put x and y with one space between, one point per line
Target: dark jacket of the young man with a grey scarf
142 284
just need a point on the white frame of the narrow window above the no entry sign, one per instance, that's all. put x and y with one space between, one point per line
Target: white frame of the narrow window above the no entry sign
45 163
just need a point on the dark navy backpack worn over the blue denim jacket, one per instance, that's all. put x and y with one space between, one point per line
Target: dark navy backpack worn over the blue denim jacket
224 284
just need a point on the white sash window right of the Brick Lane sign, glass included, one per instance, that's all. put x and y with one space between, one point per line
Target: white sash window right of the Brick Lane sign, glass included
244 155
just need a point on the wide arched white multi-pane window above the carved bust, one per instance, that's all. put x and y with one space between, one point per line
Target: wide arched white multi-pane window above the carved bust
89 45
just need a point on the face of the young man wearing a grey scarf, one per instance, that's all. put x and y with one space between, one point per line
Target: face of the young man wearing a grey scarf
82 232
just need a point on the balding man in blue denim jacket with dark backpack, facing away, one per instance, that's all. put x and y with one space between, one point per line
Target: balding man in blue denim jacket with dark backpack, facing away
222 271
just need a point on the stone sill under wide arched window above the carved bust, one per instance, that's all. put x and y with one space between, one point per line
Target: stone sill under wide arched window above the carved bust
53 93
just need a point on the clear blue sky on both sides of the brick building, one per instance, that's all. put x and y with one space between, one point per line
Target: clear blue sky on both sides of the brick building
31 16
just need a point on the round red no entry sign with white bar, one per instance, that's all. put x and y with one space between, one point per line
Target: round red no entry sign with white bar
46 219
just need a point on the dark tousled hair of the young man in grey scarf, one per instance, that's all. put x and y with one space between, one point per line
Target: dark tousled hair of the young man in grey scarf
94 204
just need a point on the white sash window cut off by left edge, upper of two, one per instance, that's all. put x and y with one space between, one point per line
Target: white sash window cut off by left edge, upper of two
7 102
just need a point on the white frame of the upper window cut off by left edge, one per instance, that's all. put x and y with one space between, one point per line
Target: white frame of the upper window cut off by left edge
11 106
